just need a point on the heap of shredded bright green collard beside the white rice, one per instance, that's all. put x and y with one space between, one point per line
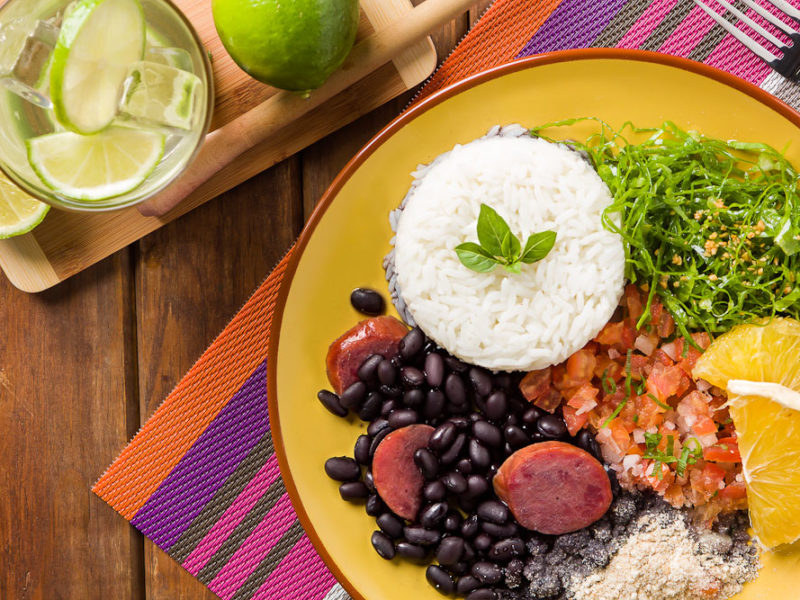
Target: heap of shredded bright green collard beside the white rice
711 227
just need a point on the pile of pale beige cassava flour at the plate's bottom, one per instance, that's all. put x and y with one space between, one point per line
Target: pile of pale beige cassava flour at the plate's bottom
667 560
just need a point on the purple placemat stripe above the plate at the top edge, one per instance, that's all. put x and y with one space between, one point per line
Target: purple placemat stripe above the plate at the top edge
573 24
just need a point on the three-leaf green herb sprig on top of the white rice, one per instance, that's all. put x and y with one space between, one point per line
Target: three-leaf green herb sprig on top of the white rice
498 246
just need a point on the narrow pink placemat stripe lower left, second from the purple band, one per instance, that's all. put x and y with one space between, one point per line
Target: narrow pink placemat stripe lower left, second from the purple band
254 549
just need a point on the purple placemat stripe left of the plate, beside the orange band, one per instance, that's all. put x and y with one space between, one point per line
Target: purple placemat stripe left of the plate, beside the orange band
207 464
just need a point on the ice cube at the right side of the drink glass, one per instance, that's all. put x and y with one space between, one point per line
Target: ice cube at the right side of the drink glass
160 94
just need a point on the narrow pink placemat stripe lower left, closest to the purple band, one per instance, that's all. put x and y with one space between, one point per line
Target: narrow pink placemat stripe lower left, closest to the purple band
232 516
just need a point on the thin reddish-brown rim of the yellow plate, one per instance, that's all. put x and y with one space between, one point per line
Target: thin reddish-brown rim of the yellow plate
548 58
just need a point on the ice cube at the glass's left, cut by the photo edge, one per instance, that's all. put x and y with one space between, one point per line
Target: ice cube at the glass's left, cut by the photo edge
25 58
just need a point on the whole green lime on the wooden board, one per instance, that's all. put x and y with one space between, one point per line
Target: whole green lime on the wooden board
290 44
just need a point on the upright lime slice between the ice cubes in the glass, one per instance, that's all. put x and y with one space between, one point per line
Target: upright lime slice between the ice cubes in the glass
99 40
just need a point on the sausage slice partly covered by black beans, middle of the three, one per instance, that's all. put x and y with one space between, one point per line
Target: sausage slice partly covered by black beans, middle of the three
397 478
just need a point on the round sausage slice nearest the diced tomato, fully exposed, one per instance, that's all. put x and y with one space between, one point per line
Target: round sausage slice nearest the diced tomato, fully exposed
553 487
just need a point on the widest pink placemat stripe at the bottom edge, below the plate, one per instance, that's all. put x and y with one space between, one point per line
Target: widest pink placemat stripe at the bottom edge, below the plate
301 575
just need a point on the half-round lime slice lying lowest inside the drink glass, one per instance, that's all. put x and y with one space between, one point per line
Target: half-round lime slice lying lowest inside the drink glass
95 167
